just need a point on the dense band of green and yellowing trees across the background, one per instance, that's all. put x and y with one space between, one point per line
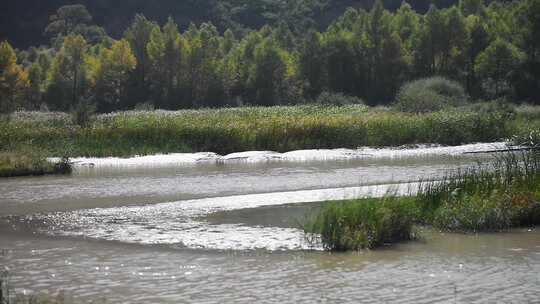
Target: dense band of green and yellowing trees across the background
368 53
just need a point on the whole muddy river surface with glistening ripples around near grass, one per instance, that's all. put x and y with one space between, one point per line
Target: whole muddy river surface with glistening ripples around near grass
204 228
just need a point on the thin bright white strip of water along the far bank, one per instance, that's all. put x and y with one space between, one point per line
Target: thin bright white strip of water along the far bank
268 156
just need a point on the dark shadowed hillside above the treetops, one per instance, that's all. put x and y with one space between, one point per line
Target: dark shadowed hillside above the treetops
22 21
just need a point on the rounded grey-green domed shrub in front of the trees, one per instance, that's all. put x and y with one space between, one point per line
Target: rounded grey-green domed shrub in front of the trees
430 95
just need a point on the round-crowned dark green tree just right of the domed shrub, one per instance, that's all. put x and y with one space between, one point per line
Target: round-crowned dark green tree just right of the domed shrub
497 65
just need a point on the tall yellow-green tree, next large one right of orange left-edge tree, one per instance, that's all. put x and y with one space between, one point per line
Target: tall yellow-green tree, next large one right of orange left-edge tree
67 78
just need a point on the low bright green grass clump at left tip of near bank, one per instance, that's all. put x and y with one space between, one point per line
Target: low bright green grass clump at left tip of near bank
364 223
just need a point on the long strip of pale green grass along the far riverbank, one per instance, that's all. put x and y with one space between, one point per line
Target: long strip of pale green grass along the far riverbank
251 128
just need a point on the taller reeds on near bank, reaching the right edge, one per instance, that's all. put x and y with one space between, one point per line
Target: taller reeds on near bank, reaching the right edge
486 198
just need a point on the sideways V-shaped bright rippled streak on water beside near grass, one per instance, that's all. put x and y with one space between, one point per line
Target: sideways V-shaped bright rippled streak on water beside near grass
180 222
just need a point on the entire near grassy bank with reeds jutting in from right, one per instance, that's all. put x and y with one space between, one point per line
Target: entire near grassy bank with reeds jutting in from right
486 198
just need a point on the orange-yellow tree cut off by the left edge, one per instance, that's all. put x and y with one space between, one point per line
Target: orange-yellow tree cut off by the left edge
13 80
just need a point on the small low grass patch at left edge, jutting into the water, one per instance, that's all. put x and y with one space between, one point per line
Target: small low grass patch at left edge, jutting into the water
30 163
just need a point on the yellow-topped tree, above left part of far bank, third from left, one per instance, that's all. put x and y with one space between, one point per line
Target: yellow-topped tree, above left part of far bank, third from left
111 76
